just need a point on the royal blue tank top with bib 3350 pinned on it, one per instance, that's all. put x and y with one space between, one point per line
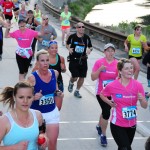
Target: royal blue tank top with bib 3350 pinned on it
47 102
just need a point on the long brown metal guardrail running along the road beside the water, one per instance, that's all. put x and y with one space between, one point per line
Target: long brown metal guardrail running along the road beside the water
99 33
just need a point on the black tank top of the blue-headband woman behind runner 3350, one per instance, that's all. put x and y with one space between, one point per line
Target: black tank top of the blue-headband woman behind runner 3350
57 67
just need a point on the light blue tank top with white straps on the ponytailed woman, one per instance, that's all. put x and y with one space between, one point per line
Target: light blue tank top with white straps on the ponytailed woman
17 133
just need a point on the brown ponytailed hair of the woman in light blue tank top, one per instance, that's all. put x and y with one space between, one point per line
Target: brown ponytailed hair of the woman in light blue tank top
6 97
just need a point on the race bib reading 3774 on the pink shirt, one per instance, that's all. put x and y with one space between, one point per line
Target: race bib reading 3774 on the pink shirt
129 112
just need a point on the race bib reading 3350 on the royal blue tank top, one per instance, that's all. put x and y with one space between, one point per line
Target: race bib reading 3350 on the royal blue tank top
47 99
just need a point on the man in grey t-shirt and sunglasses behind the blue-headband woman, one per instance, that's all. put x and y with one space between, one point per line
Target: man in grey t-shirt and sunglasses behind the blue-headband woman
49 34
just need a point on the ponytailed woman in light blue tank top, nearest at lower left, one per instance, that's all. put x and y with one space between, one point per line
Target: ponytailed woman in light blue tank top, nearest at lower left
20 126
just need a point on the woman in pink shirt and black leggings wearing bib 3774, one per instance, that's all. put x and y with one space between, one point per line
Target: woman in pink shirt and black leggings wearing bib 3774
125 93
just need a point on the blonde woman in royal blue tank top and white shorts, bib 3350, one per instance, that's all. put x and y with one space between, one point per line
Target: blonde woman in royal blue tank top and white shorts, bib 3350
44 81
